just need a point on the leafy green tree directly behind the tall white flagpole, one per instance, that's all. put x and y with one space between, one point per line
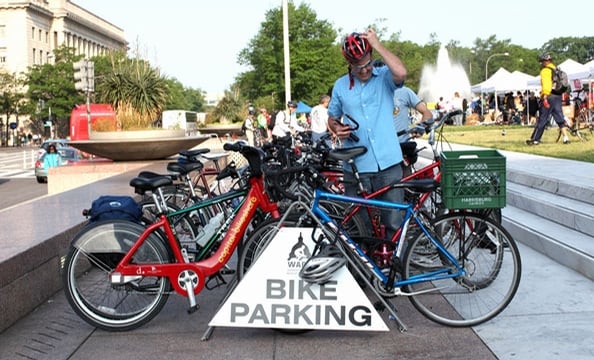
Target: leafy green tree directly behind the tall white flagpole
315 57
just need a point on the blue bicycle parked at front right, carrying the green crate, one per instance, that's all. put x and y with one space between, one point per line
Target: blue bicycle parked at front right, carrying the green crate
459 269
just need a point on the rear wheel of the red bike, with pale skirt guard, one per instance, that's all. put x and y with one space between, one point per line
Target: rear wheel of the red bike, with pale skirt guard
93 255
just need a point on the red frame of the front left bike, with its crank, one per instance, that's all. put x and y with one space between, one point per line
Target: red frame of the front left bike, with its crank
255 198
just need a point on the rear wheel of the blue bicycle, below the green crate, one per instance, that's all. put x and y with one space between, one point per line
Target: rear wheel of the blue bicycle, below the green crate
489 257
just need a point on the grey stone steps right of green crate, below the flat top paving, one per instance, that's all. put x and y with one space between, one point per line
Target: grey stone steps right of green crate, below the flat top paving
551 222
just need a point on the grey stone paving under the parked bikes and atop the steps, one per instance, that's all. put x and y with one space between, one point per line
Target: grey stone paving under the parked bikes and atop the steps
551 317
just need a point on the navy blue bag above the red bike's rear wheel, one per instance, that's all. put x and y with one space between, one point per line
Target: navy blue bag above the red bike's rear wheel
109 207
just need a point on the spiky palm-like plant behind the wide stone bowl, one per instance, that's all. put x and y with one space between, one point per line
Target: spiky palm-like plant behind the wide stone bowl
136 91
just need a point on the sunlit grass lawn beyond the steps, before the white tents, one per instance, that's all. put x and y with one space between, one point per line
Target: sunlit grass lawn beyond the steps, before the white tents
490 136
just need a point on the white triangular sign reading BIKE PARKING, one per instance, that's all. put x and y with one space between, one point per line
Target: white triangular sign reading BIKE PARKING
272 295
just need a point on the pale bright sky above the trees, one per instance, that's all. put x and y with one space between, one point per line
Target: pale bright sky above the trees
221 29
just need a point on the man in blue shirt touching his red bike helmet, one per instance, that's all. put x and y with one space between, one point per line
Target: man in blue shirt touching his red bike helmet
366 94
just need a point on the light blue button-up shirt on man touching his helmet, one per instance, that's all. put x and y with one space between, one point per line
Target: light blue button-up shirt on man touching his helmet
371 104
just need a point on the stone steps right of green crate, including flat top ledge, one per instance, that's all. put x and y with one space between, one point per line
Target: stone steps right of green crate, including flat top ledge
550 206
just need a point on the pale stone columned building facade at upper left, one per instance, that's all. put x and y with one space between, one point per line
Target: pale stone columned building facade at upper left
31 30
